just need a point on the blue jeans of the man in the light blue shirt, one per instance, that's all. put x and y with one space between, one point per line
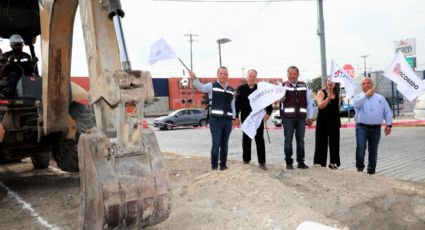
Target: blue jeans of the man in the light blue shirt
367 136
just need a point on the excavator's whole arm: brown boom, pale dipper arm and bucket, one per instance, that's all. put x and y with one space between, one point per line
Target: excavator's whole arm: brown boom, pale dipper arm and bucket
123 178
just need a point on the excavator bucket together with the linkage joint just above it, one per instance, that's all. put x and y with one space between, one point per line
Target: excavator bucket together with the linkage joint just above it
124 181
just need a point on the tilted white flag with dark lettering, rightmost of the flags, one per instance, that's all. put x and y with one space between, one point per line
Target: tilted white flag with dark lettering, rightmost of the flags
400 72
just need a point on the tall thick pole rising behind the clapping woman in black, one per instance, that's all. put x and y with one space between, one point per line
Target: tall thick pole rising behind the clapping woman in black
321 33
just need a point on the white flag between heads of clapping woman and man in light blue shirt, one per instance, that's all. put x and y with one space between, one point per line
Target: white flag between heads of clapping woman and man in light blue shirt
338 74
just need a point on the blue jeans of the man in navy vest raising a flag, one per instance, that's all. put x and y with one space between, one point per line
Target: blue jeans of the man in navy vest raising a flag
220 132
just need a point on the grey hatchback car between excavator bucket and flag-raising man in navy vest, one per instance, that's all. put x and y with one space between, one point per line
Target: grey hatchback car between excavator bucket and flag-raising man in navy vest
182 117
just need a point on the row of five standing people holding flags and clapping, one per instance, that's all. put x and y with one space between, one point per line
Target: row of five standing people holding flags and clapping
229 107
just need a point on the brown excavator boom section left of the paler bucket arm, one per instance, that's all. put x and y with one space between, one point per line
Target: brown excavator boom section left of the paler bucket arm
57 23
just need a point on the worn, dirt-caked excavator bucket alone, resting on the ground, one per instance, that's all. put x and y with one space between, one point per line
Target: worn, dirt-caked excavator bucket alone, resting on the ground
121 189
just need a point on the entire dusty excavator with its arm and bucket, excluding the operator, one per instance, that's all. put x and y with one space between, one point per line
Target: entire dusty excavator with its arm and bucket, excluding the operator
124 183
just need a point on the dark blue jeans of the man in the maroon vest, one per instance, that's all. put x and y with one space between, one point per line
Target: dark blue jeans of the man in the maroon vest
290 126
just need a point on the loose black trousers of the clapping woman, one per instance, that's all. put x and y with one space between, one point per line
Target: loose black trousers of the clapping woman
327 135
